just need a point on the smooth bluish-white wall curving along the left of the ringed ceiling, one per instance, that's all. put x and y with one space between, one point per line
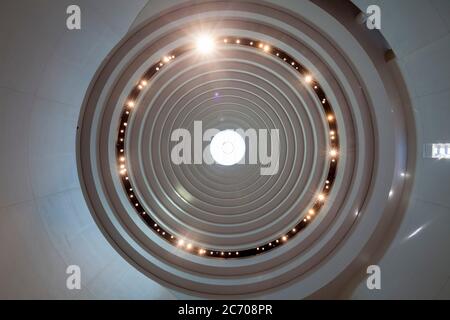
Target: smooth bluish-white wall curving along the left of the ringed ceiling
44 222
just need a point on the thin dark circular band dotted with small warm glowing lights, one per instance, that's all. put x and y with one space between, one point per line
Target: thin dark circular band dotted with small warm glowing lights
205 45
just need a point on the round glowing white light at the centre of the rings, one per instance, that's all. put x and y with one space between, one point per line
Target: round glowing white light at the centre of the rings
227 147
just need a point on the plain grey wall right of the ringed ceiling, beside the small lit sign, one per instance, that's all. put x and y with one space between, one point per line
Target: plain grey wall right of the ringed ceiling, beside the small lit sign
417 262
